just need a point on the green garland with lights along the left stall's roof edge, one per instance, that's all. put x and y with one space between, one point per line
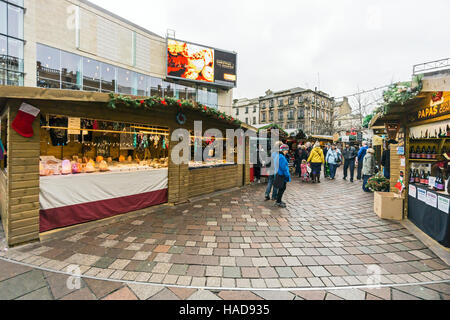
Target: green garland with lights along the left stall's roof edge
152 102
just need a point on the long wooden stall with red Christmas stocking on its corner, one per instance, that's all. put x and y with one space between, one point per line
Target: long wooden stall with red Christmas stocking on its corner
90 156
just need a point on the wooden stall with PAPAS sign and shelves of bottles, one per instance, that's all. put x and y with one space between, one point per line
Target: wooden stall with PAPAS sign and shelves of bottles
422 129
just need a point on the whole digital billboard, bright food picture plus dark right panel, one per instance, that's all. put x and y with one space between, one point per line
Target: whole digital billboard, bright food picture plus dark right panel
199 63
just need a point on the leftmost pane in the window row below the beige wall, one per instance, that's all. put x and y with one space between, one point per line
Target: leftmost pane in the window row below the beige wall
48 67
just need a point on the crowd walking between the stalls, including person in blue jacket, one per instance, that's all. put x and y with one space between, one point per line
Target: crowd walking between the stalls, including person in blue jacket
311 159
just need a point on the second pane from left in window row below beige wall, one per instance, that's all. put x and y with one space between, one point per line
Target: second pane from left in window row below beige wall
70 71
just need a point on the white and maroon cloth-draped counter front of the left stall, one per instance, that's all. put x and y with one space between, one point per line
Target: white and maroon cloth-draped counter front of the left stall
66 200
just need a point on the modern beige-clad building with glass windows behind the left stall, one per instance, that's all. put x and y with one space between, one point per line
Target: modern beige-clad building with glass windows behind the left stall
76 45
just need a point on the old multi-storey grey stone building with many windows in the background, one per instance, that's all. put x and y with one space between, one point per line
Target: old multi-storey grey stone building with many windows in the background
298 108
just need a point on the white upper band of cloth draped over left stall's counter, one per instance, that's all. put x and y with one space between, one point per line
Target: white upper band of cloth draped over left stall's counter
61 191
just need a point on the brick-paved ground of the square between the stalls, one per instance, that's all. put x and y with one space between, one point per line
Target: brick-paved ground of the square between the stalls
327 244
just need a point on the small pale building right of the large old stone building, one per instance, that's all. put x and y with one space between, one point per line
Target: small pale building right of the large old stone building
344 121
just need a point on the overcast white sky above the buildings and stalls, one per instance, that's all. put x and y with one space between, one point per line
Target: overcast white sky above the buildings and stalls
287 43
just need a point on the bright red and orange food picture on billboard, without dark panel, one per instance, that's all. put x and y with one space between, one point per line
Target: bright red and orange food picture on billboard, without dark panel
189 61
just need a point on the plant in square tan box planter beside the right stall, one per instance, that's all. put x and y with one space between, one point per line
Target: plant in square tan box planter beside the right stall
387 205
